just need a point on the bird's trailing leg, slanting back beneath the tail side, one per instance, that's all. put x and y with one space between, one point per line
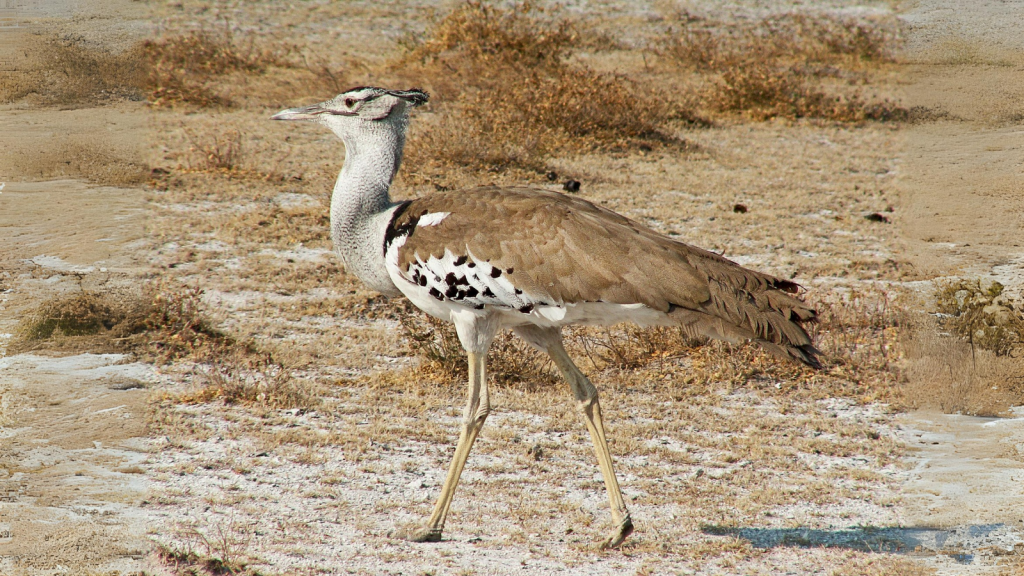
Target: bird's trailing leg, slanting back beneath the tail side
586 397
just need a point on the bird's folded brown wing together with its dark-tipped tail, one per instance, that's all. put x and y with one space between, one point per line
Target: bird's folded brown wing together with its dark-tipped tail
563 250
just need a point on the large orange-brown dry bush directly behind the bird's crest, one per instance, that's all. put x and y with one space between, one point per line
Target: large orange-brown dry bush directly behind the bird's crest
508 98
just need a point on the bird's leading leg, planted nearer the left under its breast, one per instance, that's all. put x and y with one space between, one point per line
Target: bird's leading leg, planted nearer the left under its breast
478 408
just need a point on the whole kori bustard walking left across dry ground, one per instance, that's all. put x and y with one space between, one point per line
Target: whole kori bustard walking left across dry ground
533 261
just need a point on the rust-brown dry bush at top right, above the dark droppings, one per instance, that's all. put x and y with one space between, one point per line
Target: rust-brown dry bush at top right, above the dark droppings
776 67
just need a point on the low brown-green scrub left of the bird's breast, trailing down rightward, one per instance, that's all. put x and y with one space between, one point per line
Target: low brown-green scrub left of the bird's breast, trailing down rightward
161 324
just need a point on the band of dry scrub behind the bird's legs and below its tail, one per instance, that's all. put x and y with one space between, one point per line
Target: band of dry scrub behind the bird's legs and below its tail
859 335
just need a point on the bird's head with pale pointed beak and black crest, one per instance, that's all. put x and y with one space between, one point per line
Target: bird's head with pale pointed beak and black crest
361 109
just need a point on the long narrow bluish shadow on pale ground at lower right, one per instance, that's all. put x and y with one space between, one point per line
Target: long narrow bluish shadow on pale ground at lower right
961 544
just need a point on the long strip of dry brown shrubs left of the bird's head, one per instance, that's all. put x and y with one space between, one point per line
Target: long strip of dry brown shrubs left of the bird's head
209 68
